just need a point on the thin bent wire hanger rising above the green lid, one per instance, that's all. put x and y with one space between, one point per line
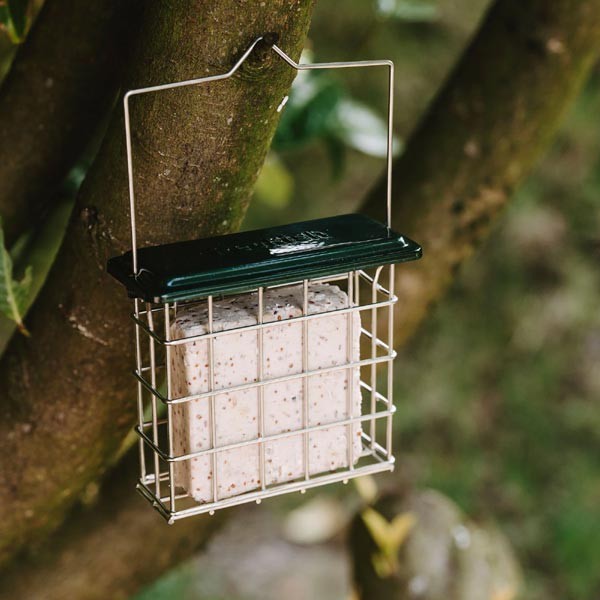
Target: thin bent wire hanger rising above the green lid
232 71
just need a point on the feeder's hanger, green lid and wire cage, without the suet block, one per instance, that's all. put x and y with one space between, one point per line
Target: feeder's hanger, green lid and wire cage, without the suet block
343 252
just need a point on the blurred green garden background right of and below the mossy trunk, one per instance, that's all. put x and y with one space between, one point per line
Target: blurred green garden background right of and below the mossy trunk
498 396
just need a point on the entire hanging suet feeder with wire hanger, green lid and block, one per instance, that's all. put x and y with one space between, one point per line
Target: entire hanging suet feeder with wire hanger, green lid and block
263 358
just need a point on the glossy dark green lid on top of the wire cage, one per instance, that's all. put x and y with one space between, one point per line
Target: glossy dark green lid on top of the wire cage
243 261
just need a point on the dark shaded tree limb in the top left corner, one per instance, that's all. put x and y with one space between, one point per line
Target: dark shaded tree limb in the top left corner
62 81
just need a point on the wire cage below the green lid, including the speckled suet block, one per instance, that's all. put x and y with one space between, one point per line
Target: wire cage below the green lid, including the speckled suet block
252 395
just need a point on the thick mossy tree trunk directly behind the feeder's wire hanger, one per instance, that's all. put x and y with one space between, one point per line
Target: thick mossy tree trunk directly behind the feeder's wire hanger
66 390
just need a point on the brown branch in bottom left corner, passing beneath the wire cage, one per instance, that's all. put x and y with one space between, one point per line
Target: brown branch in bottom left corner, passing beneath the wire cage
109 548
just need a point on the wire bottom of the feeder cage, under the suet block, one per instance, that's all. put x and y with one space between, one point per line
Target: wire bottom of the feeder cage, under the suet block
373 459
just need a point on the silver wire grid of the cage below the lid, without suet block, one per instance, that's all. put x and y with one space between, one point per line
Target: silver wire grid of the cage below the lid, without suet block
157 481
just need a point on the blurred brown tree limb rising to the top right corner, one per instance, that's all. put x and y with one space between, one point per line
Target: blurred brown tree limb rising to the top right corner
482 135
